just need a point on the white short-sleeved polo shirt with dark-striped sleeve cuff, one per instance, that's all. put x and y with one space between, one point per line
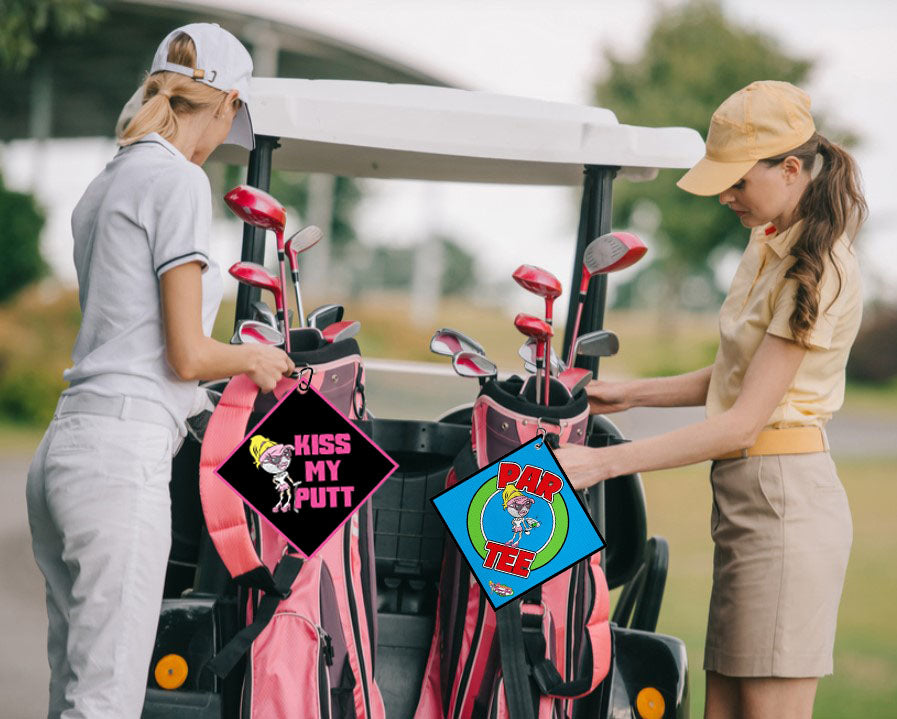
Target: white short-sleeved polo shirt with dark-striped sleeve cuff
148 211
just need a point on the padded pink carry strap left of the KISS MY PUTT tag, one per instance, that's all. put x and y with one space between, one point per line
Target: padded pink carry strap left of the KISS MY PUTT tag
223 510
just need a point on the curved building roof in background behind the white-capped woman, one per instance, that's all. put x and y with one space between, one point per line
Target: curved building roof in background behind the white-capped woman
78 84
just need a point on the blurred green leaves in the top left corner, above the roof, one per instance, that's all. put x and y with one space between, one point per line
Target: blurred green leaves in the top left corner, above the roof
23 22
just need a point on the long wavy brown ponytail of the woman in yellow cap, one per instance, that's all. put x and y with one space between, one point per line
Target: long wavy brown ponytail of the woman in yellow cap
831 204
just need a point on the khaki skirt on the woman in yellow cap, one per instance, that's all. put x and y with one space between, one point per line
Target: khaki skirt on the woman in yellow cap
782 532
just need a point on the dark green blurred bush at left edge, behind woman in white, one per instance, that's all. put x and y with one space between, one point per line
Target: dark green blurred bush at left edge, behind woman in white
20 260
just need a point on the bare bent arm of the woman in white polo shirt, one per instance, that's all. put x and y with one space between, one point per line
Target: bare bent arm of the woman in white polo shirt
192 355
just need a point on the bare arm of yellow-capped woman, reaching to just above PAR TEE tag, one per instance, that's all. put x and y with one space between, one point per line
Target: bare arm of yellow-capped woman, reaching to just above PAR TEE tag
768 377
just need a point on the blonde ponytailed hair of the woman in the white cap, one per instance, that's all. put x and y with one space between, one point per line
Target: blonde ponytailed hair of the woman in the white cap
169 95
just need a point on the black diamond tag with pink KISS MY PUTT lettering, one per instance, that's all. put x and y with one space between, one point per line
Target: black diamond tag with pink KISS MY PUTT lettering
306 468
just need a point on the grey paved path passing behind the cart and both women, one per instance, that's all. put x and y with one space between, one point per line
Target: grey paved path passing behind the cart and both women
23 665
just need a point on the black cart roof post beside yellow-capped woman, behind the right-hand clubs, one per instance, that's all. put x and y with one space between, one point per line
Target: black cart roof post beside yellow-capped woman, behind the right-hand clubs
594 220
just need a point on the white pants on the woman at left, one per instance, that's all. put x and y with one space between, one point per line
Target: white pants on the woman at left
99 510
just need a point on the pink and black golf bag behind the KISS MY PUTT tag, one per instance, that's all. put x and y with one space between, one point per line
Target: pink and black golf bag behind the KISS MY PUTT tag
310 624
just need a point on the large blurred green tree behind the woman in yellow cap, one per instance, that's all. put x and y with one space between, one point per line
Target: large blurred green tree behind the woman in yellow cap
693 59
